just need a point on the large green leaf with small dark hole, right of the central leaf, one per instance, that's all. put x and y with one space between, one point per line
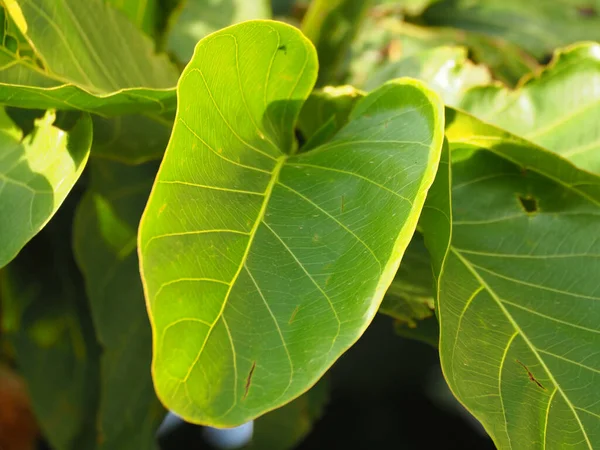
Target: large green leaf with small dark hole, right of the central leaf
518 293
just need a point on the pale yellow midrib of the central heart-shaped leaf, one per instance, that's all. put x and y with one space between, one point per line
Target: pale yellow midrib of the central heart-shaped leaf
259 219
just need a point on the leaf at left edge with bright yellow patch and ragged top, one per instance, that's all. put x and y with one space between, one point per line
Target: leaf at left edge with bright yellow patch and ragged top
36 174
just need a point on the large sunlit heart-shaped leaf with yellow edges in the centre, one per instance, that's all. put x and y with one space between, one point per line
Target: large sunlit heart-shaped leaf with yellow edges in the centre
260 272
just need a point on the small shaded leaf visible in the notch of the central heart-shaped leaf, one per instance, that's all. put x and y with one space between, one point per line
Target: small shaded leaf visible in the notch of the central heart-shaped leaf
325 112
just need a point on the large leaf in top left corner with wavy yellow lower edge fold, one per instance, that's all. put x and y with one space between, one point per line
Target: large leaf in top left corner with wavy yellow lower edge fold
88 56
